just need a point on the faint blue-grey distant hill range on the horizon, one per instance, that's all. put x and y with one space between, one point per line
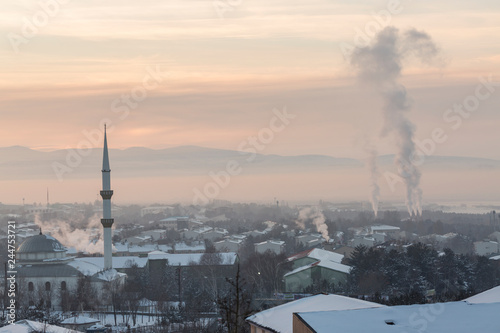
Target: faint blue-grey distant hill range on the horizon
23 163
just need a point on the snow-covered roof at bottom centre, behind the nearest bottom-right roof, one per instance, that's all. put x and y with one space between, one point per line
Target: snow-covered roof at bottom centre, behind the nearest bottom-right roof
279 319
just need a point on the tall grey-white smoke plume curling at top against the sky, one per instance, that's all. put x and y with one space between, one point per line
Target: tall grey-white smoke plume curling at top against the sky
380 64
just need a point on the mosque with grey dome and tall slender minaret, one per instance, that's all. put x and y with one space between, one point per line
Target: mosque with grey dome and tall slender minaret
47 276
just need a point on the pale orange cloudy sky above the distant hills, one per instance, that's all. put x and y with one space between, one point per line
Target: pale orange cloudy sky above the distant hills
213 73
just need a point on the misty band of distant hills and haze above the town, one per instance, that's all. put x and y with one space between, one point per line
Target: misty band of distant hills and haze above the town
172 175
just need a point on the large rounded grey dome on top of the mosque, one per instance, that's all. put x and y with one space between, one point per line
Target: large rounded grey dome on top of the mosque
41 248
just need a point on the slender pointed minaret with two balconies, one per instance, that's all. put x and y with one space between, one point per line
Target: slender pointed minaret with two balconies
106 194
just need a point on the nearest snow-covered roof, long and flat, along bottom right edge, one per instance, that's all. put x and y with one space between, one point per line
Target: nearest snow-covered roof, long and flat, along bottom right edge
456 317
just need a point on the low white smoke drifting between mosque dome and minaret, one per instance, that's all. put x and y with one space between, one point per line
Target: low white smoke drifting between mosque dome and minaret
87 239
